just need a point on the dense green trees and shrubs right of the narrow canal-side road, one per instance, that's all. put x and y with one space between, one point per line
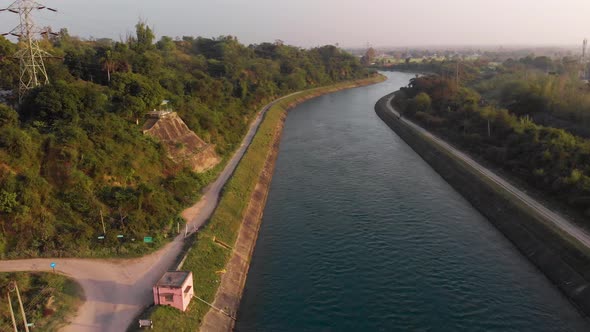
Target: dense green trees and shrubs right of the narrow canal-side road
529 117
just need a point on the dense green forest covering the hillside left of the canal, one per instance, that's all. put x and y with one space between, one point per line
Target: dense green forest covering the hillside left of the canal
72 154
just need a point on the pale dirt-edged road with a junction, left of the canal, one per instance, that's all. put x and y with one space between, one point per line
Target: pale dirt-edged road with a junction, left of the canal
117 290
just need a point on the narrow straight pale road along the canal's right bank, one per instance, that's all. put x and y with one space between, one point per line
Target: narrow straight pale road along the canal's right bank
563 224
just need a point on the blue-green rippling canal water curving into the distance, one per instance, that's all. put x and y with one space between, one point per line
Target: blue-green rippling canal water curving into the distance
360 234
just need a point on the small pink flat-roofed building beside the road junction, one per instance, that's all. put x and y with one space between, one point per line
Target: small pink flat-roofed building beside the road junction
175 289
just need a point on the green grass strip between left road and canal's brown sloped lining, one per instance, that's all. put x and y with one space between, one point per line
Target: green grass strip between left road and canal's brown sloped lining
206 258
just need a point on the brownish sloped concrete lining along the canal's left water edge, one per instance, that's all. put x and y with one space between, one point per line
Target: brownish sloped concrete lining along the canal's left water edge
231 288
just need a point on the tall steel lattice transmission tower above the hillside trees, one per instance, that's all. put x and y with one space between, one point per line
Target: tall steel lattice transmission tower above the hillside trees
30 55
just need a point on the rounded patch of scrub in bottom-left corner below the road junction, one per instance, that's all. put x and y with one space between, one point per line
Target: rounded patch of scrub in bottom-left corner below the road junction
48 299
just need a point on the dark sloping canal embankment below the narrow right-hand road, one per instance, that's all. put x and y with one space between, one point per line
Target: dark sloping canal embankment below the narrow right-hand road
564 262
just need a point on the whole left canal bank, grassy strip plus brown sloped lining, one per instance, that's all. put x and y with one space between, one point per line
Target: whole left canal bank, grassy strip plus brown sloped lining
216 244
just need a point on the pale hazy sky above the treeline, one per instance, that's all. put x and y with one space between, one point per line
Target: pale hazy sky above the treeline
317 22
